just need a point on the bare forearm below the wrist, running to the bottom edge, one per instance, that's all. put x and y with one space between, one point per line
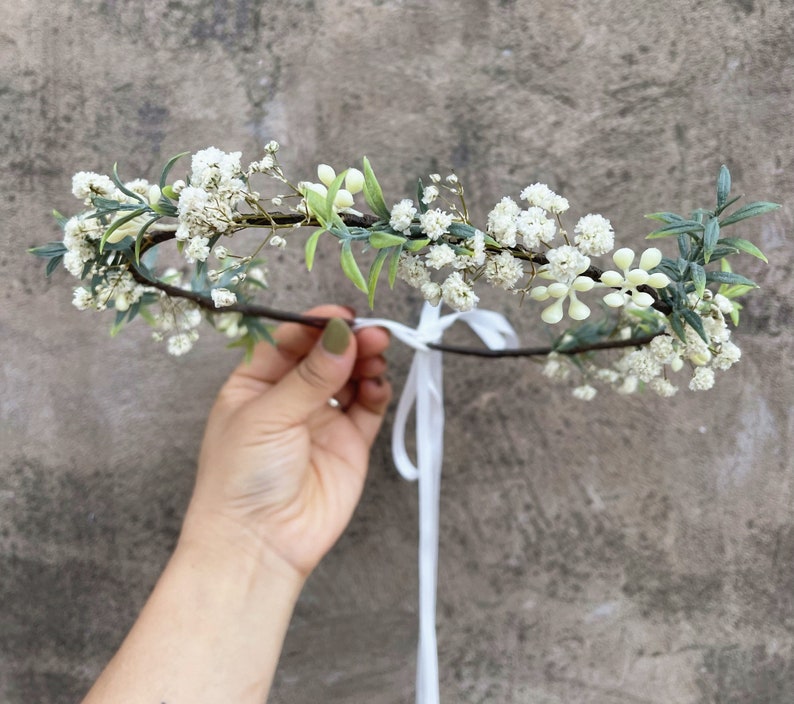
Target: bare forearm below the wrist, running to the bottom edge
211 632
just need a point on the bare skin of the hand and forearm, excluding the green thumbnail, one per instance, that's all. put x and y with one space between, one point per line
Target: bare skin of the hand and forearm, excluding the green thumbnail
280 473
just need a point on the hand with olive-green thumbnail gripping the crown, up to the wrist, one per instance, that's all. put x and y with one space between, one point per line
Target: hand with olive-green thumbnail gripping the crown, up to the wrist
280 470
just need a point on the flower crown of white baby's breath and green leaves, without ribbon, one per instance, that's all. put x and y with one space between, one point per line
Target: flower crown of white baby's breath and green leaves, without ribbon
662 313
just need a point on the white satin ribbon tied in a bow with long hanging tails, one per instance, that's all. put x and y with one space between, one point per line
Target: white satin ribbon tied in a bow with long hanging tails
425 388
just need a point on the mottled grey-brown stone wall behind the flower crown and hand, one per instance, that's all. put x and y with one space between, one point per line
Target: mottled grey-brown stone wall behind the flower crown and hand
630 551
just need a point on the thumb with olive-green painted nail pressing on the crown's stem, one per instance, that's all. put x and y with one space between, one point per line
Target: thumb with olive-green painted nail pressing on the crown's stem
318 376
